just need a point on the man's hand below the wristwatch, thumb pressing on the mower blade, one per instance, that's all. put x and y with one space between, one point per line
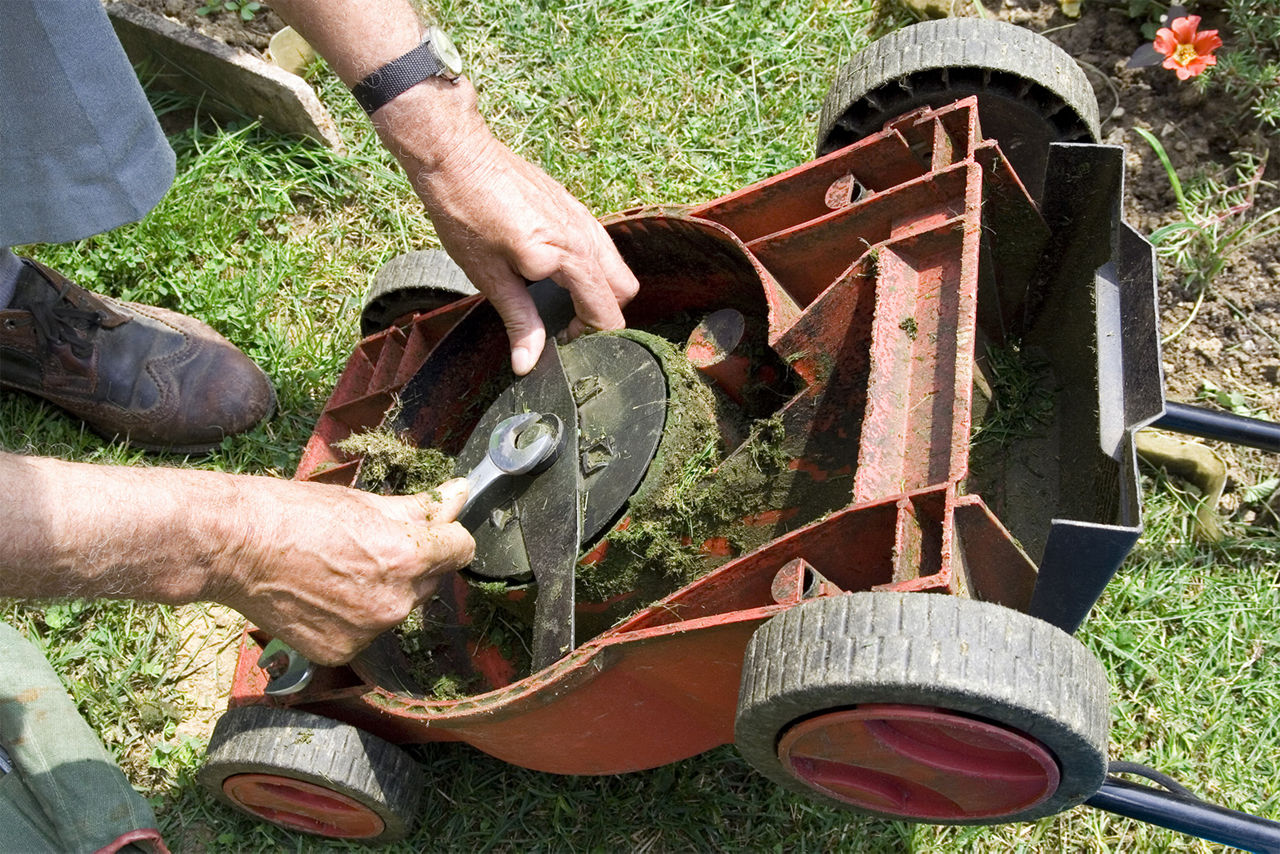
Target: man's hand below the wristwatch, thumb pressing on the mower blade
504 220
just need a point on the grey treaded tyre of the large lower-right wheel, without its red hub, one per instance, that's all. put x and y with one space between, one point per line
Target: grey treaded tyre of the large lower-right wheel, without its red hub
927 650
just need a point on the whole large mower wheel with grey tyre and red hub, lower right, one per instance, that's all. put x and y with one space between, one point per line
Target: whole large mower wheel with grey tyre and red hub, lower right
1020 709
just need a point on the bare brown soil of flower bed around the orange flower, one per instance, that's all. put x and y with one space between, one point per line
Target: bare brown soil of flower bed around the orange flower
1233 341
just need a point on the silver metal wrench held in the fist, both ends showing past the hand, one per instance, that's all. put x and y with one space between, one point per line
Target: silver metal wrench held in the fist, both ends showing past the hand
290 672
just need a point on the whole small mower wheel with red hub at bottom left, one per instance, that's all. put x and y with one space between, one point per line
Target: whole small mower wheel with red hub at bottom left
312 774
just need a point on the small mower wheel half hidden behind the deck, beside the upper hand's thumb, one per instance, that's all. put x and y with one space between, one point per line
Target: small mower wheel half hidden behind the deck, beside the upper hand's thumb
413 284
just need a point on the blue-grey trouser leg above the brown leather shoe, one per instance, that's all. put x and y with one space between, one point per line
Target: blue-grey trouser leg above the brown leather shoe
81 150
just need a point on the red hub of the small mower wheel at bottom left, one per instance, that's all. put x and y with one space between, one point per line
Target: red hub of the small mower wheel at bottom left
304 806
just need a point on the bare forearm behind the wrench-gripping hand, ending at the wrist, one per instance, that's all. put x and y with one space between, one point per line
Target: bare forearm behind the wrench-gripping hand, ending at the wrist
76 529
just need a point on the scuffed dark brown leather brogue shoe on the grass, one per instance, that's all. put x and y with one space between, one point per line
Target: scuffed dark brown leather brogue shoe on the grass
156 378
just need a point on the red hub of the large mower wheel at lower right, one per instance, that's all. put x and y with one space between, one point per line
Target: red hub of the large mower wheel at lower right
920 762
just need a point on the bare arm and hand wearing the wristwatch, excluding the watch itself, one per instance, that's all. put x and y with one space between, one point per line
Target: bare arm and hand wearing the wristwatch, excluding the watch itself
501 218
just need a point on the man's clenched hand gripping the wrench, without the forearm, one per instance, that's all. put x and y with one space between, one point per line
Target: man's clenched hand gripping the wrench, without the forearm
337 568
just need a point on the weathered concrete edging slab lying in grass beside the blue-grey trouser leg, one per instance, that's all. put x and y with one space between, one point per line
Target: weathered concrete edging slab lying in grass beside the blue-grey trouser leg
232 83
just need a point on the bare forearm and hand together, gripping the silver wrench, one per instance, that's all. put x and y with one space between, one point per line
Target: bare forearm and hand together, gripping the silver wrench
326 568
